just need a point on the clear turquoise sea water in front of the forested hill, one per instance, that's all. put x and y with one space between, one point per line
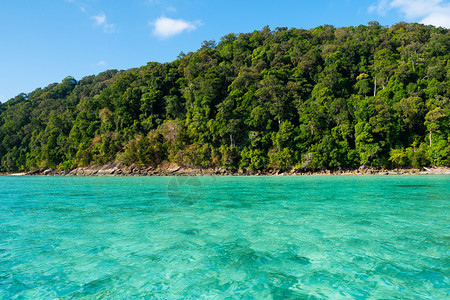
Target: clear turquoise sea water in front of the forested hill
377 237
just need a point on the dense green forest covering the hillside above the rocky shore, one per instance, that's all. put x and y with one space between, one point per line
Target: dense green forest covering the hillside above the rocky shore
324 98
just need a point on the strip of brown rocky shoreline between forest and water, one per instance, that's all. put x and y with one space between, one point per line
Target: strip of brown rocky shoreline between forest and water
116 169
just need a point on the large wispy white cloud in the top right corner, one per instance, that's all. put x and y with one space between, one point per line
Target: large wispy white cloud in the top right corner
430 12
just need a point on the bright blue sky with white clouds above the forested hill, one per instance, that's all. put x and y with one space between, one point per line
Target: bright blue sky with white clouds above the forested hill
44 41
